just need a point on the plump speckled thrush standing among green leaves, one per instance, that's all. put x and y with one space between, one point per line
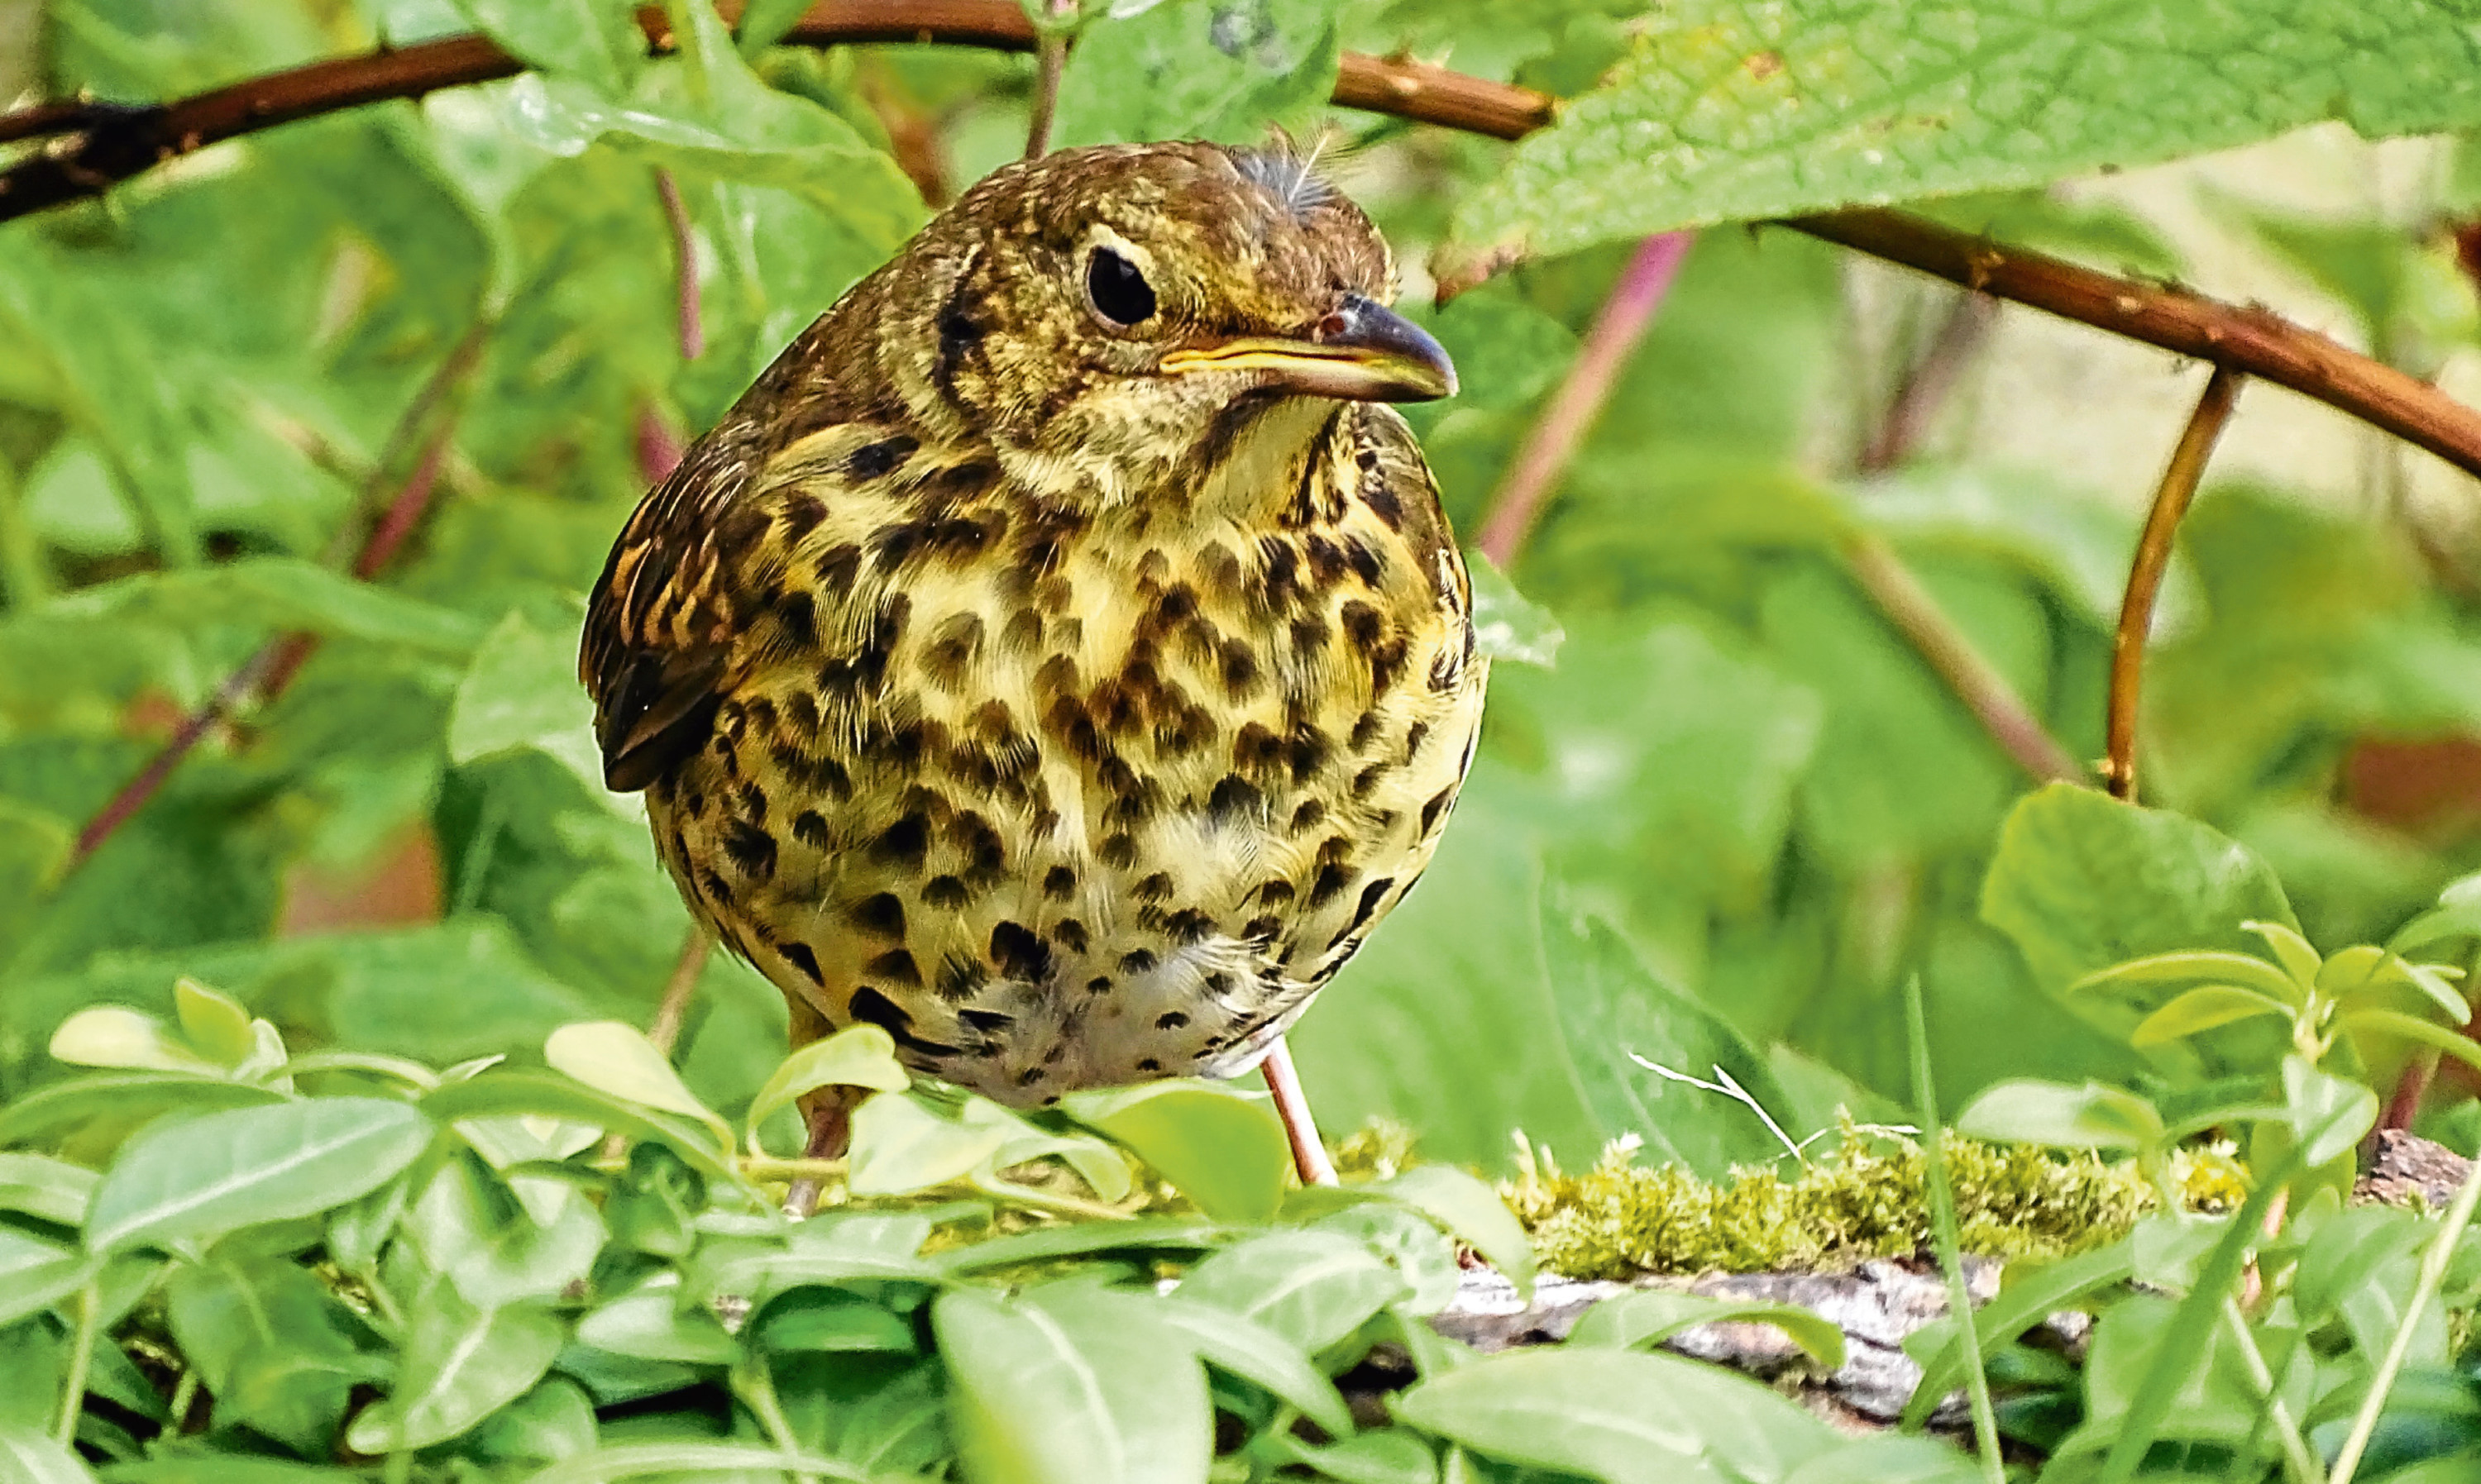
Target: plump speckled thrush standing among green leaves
1061 656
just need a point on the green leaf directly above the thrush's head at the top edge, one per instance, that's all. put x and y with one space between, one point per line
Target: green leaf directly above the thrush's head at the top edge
1200 71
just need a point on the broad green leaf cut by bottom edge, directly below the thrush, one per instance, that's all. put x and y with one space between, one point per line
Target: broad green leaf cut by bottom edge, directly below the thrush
1058 1386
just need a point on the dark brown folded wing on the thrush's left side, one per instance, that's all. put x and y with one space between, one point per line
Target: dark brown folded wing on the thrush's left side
664 622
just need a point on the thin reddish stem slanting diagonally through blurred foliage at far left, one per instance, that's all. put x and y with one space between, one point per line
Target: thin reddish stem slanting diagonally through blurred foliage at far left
269 671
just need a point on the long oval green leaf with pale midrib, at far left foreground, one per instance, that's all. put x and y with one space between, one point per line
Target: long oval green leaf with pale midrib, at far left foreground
190 1182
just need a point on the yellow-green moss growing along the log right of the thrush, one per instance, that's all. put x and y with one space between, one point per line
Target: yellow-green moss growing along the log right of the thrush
1860 1202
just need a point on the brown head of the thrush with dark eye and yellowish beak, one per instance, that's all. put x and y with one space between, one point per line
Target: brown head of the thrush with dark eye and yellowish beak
1115 319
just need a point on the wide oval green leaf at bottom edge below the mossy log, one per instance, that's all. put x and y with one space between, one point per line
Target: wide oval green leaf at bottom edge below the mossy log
1616 1416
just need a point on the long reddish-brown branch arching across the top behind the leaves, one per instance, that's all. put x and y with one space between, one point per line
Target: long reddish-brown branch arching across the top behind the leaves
96 155
